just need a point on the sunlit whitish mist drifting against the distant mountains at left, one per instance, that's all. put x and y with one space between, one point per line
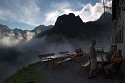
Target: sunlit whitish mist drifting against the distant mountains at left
11 39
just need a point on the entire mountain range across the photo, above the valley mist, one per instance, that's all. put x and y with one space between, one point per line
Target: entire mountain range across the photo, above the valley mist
66 27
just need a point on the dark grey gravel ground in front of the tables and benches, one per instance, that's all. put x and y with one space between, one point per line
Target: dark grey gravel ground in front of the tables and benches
67 73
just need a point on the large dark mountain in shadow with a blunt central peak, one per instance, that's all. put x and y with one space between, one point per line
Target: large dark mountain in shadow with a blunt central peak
71 26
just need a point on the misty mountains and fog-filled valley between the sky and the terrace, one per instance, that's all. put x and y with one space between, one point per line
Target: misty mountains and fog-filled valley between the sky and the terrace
19 48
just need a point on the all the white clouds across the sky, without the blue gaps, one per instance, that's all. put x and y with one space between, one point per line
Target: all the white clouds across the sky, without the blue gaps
29 12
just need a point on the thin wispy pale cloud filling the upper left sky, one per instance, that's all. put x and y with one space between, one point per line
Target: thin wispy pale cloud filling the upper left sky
21 11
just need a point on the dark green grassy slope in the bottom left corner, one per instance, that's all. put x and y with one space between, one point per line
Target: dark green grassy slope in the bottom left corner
26 75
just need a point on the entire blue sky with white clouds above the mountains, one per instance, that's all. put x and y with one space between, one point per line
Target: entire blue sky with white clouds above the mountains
27 14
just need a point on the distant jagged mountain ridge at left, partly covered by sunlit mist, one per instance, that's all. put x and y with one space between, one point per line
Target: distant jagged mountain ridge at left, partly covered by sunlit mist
19 34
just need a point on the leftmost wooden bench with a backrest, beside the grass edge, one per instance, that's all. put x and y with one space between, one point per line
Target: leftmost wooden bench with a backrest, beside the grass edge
44 59
